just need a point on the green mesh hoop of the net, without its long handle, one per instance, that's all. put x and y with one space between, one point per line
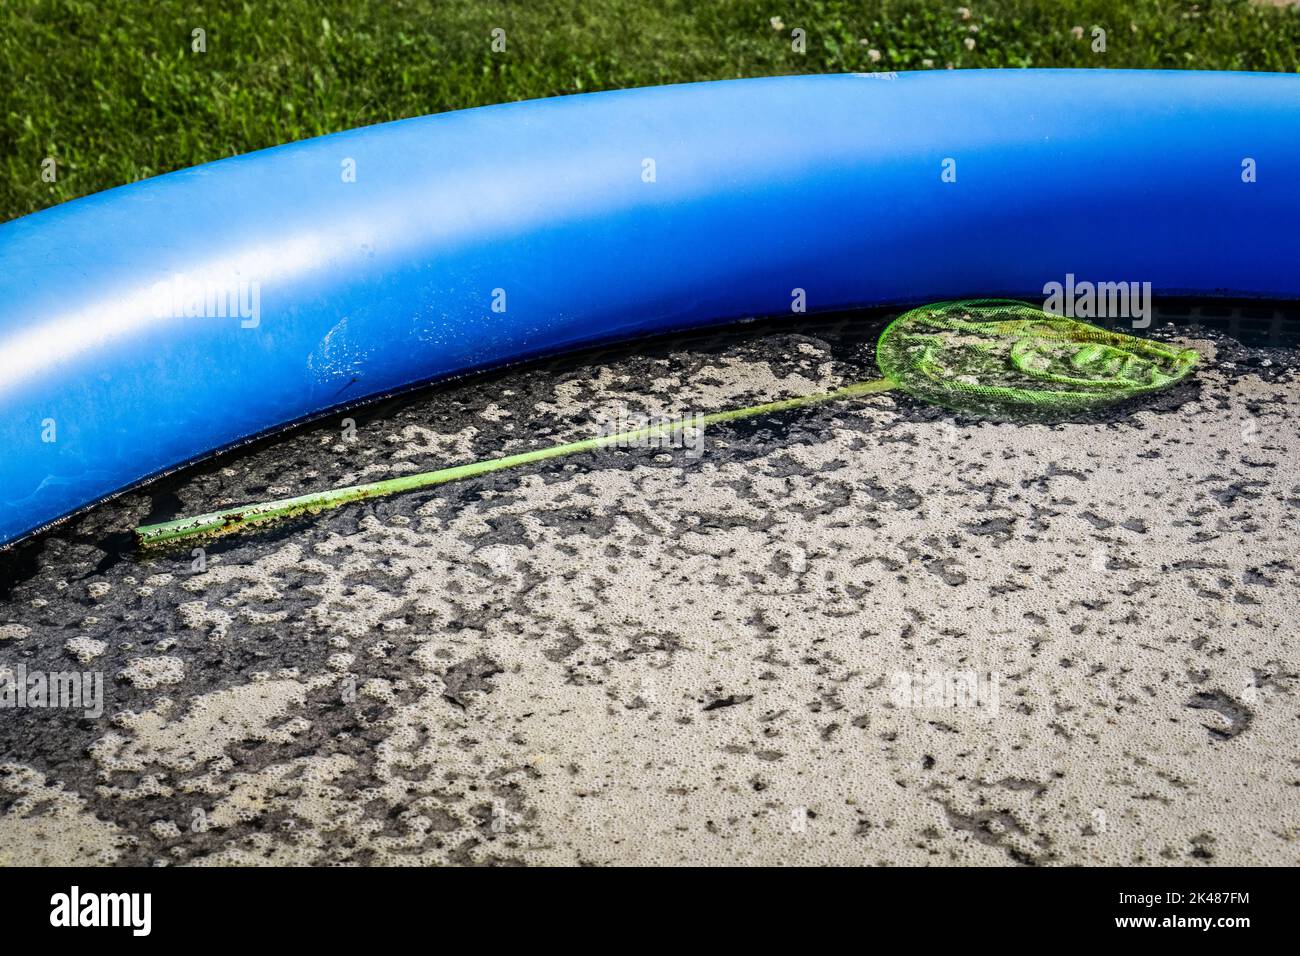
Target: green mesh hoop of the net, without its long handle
1006 358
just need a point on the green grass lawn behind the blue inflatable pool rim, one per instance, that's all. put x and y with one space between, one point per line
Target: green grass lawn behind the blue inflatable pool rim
114 93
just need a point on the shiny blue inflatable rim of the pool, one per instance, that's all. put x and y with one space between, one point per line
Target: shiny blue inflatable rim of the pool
549 209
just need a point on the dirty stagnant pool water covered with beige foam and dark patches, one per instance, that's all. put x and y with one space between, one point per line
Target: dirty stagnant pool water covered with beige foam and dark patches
736 650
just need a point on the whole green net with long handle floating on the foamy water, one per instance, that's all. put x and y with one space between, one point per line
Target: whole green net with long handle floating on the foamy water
993 357
